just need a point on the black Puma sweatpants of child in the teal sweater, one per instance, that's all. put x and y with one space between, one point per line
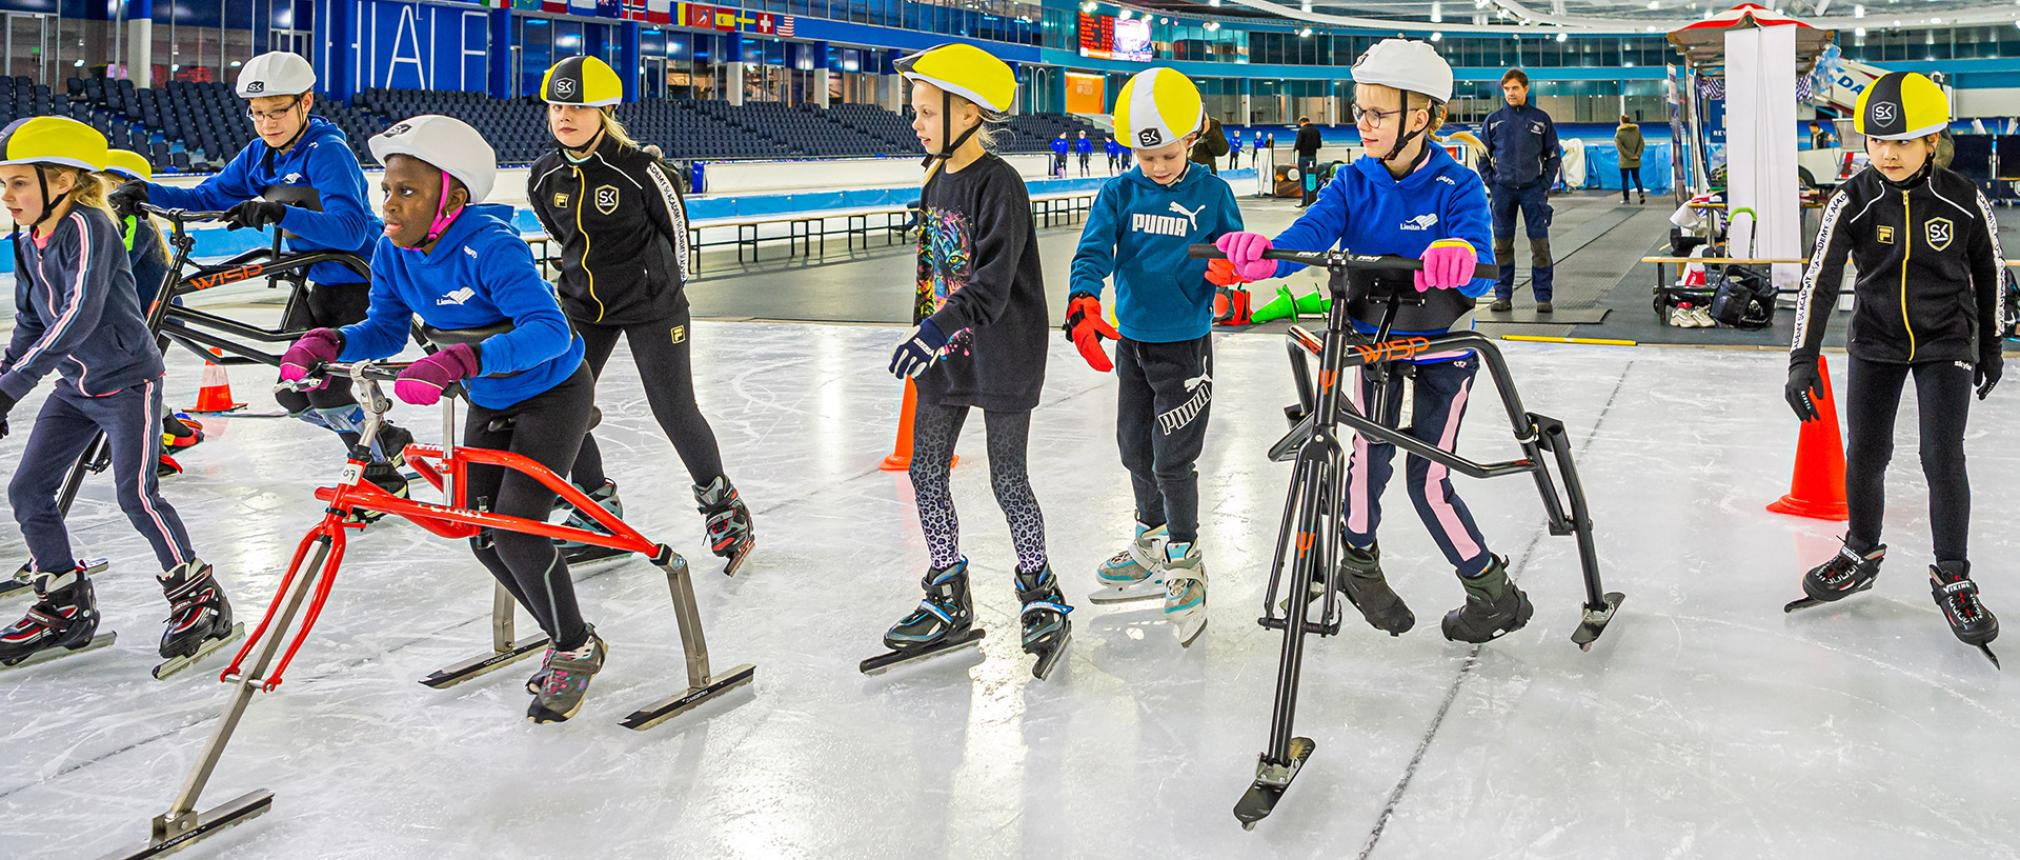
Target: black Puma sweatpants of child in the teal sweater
1160 427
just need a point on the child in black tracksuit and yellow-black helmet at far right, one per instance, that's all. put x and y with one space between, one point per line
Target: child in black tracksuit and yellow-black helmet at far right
1928 306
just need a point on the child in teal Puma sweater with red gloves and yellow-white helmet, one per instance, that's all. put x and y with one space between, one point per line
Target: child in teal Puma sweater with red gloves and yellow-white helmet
1138 233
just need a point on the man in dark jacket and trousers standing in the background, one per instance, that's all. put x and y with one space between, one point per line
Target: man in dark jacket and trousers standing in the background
1520 163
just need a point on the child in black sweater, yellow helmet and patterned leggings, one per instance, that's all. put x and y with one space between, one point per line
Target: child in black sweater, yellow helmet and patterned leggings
979 344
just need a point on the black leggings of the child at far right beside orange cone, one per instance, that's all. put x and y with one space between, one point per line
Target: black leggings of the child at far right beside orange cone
1944 401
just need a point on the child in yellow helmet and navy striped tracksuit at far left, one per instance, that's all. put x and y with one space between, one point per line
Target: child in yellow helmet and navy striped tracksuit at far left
80 318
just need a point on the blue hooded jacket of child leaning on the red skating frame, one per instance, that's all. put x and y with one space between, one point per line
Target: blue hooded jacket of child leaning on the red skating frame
478 276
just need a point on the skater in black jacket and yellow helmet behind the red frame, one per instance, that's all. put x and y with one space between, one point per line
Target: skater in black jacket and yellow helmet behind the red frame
623 235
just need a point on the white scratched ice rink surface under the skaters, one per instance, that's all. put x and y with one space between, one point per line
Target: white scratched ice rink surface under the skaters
1704 724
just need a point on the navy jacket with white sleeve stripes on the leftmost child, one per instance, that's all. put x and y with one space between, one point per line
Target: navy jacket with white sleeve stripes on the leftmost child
76 312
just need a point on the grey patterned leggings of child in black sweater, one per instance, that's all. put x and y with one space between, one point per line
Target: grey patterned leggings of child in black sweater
934 433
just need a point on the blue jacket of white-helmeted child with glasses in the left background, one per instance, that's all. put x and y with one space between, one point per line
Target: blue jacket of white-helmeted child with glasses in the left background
320 160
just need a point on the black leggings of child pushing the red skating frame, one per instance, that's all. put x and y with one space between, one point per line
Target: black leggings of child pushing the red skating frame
546 429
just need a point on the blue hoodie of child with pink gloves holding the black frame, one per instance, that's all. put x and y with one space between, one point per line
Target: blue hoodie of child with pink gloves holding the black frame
1371 213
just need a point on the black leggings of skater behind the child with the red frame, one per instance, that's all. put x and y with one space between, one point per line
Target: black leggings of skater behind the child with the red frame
662 352
